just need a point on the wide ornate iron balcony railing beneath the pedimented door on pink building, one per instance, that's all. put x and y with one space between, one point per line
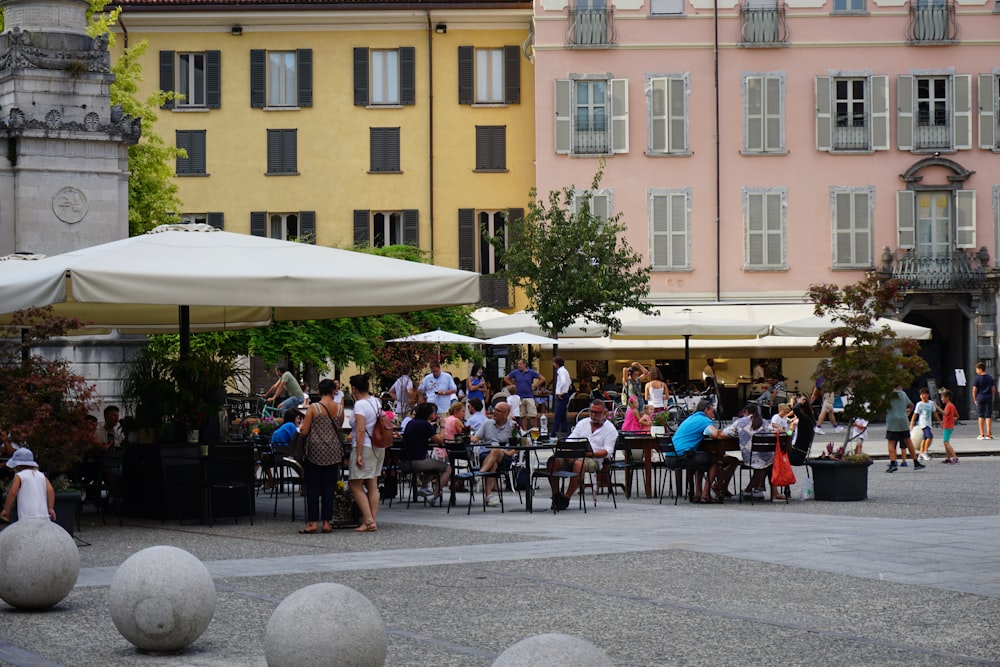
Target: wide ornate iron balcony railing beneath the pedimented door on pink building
959 270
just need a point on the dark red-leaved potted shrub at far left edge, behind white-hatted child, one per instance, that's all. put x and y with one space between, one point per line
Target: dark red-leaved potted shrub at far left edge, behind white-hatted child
44 404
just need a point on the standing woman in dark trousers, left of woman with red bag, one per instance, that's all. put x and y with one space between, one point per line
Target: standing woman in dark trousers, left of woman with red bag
324 454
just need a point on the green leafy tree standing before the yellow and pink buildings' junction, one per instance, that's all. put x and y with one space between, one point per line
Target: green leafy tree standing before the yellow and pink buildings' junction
571 262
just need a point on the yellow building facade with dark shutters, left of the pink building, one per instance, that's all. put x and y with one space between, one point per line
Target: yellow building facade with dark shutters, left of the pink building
347 123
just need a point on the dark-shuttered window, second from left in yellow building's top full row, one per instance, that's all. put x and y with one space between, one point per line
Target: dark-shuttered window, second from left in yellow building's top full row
280 79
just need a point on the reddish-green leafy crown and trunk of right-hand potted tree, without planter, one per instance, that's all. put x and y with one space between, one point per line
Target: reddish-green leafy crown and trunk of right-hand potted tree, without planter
863 360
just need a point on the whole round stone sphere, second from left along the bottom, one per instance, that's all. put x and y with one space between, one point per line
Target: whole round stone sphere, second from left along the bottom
162 599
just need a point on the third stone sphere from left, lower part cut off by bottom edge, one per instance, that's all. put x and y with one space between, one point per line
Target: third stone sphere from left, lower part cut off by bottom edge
325 624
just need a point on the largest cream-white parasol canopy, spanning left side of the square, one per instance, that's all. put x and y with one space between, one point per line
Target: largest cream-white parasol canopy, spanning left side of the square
222 280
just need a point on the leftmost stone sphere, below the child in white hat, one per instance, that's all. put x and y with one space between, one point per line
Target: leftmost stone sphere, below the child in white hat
39 564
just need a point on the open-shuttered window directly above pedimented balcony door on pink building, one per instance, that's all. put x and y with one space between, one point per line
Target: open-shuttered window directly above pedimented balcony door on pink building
934 112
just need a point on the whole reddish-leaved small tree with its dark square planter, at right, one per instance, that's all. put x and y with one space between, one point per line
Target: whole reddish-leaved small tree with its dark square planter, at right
865 361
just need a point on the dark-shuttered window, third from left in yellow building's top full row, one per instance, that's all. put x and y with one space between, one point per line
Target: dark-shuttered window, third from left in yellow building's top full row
384 77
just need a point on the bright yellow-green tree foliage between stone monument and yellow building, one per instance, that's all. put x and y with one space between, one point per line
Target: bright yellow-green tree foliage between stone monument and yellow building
152 192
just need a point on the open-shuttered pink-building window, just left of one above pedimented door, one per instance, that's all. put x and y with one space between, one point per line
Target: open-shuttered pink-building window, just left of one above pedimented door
852 113
